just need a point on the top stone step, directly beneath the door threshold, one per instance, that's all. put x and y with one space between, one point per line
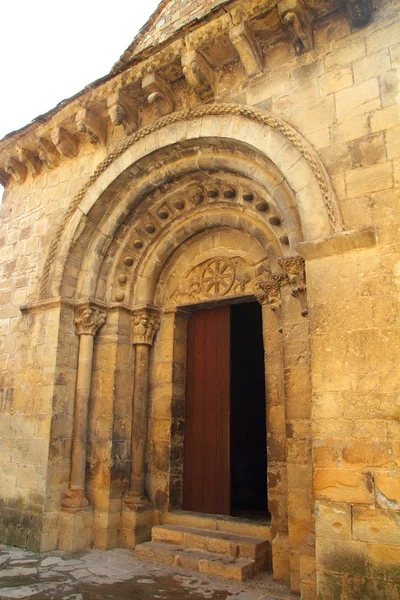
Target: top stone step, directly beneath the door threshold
227 524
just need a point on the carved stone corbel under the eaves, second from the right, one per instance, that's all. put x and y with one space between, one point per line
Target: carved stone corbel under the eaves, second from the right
295 18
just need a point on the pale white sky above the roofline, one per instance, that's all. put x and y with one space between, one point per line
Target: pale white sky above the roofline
50 50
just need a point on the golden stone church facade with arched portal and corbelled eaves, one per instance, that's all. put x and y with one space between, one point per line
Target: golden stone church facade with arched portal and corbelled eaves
242 158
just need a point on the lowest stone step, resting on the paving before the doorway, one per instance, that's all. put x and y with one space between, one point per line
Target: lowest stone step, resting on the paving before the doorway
227 567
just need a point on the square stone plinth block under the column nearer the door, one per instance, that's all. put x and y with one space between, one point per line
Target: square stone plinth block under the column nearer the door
136 524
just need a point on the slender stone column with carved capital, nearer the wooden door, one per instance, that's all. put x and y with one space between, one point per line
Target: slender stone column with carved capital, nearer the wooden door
145 323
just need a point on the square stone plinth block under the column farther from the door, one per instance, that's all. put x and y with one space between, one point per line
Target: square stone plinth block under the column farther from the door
75 530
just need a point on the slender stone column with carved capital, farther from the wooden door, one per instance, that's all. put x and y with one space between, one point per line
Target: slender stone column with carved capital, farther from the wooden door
88 321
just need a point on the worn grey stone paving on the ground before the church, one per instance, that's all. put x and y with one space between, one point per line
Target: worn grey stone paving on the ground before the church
117 575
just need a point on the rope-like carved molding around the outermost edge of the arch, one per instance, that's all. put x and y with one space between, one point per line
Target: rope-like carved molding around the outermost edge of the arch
203 111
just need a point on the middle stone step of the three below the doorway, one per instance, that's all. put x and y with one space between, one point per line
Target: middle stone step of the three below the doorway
218 542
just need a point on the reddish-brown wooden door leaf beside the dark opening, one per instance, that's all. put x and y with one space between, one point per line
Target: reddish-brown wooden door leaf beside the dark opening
206 479
